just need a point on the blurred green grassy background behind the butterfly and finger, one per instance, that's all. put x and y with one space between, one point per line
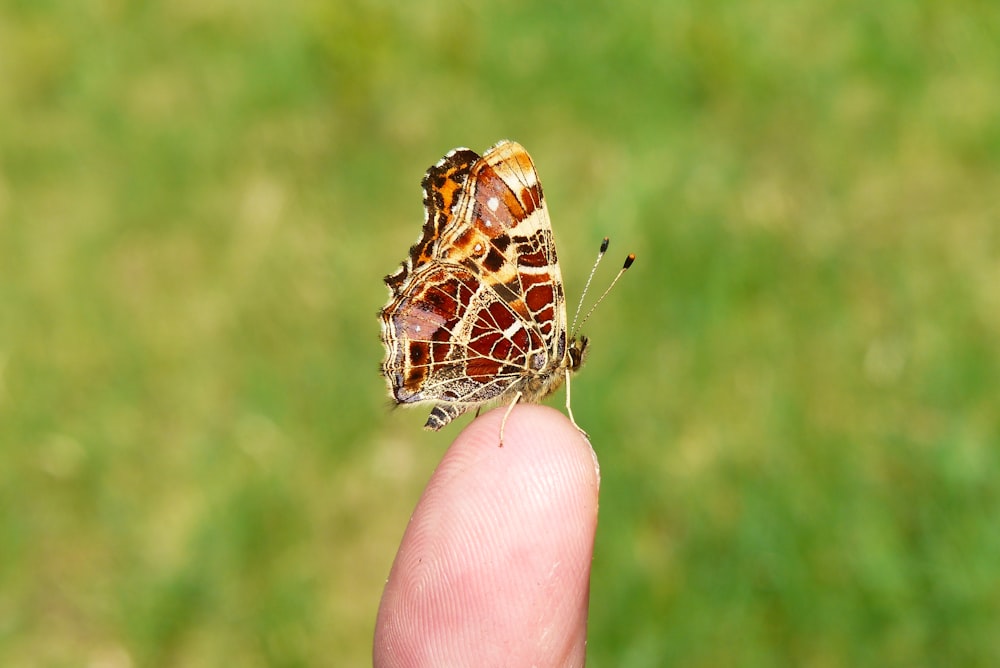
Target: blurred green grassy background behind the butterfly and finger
793 393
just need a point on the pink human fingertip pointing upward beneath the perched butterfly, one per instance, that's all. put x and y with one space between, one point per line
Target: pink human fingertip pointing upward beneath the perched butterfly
494 566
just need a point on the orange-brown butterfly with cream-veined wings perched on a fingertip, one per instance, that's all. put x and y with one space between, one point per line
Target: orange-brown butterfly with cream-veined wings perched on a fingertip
477 313
